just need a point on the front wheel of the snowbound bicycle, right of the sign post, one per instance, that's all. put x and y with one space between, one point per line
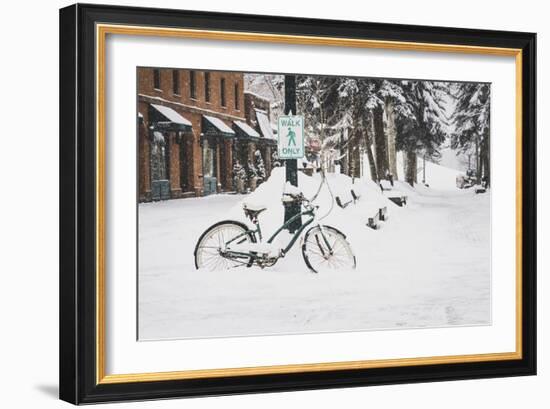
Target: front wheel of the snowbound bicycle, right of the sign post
325 248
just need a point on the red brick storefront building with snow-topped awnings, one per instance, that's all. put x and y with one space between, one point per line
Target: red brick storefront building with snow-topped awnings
192 127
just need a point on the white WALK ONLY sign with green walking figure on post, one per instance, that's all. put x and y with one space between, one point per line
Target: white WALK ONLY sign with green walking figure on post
290 137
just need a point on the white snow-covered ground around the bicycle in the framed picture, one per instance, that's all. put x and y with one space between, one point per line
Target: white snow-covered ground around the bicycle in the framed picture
428 266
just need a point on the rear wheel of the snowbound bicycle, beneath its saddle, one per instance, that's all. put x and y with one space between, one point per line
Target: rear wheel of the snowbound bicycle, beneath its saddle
210 249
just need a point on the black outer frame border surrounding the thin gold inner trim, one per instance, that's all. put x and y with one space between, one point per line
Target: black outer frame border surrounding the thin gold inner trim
78 197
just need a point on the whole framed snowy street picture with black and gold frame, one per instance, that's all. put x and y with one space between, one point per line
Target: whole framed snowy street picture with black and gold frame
258 203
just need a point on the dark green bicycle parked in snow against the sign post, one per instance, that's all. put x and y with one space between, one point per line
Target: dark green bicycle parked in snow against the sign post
229 243
